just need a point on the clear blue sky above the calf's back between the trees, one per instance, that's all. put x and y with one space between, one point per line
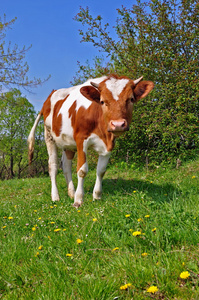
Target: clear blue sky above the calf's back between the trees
49 27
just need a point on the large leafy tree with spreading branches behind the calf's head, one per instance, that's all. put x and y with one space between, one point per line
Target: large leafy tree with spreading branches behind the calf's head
159 40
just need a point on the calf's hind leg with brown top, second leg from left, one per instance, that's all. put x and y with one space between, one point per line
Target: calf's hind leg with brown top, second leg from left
67 169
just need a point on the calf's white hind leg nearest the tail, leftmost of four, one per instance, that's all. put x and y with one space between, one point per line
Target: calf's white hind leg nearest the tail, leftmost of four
52 164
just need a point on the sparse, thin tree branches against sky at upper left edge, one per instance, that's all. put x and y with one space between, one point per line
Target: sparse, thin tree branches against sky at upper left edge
13 68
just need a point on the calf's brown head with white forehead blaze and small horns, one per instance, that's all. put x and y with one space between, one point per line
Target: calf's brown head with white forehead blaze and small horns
116 95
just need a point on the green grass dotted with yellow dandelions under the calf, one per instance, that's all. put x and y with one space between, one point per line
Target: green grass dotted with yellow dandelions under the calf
41 259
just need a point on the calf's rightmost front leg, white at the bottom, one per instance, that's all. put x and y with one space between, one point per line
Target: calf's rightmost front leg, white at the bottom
101 169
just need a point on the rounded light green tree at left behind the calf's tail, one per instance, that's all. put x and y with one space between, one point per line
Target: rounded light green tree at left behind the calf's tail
16 118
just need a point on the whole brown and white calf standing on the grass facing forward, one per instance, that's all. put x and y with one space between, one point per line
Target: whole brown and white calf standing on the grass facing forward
89 115
